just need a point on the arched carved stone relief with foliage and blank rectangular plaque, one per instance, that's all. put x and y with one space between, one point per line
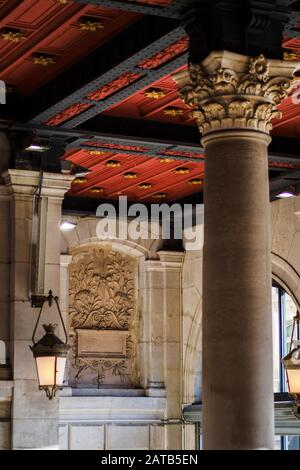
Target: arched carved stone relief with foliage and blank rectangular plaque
103 314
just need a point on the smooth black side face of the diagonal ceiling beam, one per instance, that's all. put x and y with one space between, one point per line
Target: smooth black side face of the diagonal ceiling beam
128 42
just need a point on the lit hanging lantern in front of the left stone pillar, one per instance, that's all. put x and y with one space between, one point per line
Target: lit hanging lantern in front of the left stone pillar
50 353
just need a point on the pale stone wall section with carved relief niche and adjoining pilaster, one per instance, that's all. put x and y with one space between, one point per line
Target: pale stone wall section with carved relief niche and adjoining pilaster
144 411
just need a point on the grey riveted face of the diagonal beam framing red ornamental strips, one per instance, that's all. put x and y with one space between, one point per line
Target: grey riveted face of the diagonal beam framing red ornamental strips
130 65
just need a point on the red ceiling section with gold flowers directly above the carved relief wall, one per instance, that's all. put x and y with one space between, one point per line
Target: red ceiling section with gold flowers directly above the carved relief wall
139 177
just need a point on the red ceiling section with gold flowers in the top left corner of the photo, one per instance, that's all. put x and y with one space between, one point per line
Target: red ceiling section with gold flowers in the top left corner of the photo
41 38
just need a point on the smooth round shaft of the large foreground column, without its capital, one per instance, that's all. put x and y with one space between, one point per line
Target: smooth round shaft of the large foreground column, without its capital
237 320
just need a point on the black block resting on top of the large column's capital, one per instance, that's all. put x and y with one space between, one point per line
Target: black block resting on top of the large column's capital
249 27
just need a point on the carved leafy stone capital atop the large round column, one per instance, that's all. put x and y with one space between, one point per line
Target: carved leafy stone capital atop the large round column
229 91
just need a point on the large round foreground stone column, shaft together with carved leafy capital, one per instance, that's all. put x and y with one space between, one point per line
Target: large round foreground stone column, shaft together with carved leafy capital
234 99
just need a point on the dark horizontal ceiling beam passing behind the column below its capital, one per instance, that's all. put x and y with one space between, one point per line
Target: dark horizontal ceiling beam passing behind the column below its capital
281 150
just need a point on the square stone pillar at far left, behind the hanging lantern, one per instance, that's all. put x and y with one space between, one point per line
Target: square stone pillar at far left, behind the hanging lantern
34 417
